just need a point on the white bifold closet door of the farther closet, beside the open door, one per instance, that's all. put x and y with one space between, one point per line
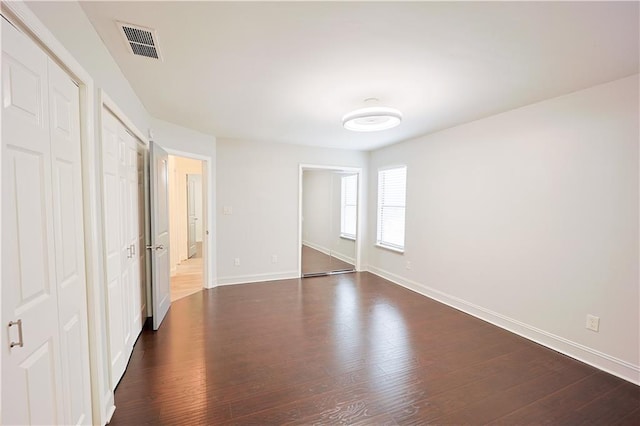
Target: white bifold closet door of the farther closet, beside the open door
122 243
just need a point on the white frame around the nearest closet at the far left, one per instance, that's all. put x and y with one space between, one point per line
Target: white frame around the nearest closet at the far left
19 14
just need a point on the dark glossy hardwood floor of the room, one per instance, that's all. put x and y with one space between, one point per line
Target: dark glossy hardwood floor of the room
353 349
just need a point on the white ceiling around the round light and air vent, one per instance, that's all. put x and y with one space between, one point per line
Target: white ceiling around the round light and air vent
289 71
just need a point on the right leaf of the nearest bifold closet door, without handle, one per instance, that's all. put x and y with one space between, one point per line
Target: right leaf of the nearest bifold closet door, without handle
64 102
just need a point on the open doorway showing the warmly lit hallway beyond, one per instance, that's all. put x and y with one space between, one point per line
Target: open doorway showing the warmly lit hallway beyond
186 218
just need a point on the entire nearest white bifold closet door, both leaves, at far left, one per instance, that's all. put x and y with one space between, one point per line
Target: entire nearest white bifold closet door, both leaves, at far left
45 352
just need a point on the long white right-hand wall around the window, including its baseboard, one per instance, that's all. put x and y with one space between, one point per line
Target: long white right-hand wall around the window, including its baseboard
530 219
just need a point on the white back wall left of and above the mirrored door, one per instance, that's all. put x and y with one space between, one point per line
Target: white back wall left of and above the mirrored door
260 182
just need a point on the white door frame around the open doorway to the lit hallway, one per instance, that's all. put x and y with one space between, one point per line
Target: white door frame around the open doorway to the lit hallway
208 244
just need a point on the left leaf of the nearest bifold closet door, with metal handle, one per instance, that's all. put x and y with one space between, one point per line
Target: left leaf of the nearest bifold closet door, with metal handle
29 293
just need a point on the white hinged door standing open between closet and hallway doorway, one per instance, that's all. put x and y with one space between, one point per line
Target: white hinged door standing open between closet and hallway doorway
159 248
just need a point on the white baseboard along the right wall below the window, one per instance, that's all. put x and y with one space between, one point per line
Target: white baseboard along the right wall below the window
600 360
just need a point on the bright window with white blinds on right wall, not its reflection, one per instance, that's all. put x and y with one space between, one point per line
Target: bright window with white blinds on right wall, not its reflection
392 188
